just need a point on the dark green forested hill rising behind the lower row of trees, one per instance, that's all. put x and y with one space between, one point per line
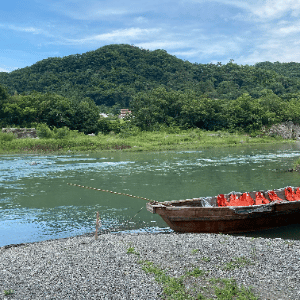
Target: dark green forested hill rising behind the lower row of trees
114 74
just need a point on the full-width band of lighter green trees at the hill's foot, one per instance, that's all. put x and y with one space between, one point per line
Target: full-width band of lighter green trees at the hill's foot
153 110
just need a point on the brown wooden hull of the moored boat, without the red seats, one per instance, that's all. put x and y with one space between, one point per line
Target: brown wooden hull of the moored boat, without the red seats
227 219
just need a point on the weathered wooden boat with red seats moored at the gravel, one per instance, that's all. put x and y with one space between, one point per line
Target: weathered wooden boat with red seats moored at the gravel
229 214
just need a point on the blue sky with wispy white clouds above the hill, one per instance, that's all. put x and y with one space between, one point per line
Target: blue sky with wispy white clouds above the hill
199 31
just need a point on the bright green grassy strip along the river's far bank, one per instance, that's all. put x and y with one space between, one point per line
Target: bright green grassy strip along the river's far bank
142 141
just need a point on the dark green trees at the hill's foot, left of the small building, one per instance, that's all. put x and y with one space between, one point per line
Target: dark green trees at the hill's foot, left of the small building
51 109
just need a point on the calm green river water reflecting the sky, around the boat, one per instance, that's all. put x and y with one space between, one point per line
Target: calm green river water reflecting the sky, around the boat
37 204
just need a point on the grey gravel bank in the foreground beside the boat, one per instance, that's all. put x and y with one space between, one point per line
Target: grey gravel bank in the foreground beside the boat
83 268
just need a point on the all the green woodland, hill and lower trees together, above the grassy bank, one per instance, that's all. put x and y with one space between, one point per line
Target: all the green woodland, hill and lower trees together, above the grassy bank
160 89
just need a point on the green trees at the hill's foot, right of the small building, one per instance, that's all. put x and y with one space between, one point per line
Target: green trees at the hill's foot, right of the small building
175 108
